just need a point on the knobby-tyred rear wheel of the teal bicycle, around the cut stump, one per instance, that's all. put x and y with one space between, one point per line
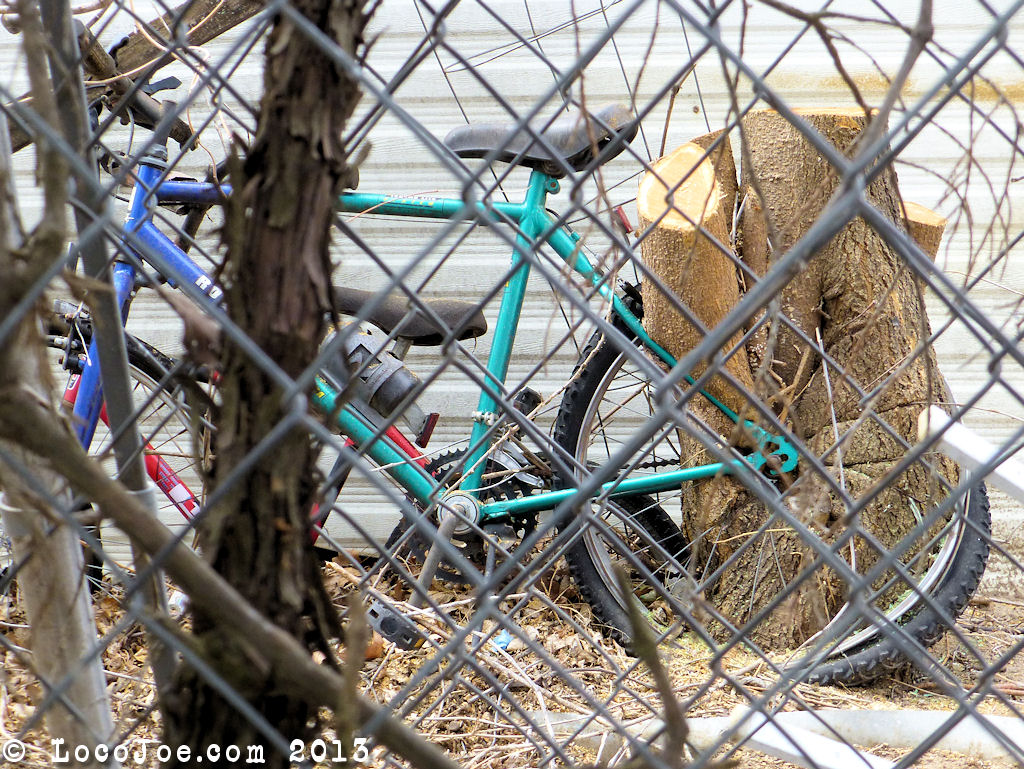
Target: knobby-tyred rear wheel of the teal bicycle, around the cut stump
611 399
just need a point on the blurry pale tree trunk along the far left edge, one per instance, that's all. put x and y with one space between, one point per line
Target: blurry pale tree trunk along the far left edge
49 552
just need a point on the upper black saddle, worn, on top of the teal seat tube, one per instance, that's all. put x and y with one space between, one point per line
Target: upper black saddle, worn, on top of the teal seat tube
573 142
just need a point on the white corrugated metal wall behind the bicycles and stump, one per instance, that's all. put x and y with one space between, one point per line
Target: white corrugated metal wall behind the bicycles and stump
649 57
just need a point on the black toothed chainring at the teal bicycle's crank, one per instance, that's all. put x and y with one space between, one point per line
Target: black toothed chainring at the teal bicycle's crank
471 544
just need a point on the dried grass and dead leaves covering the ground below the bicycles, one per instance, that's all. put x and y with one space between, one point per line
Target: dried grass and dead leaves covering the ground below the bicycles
549 670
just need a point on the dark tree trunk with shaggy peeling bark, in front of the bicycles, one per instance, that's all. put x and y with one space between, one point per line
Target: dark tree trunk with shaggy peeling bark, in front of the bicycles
278 277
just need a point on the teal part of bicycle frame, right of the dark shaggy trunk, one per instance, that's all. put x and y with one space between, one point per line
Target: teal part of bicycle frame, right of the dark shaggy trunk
535 226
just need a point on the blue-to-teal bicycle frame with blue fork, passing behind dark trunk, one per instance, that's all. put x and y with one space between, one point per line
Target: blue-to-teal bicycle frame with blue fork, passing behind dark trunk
534 227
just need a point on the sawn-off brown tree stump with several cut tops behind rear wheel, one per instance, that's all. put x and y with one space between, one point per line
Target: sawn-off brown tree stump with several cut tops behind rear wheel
866 309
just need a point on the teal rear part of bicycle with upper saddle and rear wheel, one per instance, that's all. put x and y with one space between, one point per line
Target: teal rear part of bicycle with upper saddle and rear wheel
615 392
